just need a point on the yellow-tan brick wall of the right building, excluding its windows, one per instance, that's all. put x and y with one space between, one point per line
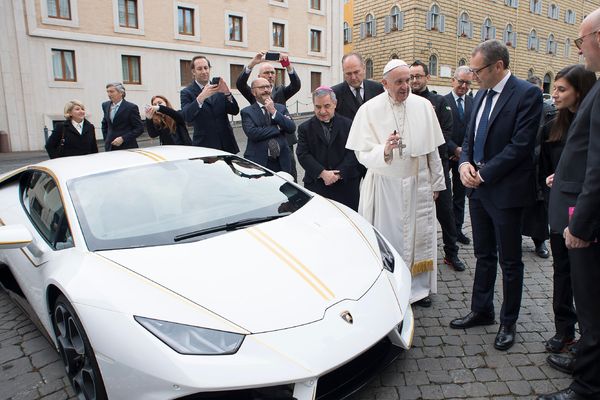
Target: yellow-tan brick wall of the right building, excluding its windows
415 41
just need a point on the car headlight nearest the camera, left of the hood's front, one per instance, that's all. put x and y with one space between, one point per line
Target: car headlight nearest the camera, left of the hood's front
187 339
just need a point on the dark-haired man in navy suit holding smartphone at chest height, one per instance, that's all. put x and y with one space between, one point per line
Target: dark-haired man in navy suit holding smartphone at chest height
206 103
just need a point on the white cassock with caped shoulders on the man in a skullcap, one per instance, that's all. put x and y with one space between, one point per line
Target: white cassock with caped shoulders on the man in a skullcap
397 197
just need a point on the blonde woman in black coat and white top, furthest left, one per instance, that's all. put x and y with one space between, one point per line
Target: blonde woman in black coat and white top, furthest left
75 136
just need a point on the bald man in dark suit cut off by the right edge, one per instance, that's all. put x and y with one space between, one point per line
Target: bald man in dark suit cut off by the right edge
574 210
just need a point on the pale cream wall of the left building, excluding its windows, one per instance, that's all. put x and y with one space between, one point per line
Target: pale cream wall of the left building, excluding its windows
30 97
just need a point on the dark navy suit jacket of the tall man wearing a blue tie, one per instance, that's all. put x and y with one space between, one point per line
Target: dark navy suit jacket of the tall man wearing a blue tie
509 173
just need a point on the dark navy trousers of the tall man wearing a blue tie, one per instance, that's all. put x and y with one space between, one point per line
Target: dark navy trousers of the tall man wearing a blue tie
496 235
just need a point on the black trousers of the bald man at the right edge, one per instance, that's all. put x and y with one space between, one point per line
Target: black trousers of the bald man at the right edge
585 274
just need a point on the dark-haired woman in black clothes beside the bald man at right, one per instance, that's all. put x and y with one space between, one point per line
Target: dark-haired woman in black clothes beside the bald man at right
571 85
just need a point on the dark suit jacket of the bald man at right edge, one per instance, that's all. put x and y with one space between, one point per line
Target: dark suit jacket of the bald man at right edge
577 176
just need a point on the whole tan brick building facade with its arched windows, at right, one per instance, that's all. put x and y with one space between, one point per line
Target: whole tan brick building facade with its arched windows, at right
539 33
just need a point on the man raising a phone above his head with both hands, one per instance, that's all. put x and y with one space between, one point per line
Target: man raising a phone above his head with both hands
280 93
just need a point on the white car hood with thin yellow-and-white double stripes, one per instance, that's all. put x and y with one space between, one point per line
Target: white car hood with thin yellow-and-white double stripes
270 276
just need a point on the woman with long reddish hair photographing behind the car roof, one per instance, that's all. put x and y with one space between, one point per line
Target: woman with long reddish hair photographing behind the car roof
164 122
